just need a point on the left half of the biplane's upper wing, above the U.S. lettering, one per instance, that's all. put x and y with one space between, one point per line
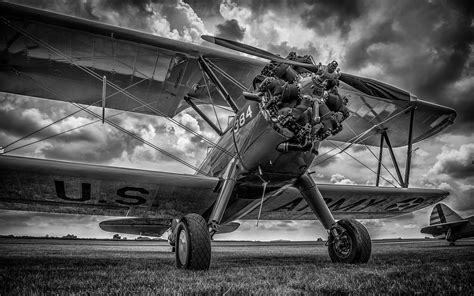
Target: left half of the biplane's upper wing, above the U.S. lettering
54 56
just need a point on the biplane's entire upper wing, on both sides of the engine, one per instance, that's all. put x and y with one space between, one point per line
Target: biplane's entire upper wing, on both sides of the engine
53 56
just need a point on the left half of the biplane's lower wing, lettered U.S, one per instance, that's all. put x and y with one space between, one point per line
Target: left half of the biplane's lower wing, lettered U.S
55 186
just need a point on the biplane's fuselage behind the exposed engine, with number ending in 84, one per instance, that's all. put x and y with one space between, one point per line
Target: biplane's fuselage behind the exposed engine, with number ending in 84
253 138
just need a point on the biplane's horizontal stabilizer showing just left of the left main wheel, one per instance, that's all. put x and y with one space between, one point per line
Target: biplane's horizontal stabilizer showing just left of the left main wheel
137 226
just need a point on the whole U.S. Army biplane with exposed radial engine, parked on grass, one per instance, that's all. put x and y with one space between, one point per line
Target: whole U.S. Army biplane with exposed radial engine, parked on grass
259 168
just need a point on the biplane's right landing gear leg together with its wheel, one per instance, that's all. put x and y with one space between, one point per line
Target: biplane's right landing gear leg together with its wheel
349 241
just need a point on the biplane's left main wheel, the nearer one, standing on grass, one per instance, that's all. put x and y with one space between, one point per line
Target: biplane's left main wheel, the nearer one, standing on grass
193 243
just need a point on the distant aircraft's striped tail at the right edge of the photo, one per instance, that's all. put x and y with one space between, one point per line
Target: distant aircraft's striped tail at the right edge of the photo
447 224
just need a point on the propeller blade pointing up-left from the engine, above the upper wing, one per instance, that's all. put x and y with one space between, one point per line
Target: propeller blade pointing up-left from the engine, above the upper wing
244 48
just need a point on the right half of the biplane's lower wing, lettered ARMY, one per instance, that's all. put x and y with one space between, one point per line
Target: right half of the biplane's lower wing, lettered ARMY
361 202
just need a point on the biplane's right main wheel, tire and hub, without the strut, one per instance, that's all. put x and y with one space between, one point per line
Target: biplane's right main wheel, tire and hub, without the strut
353 245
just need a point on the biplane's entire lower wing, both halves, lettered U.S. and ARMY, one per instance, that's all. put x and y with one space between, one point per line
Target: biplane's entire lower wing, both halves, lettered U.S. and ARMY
63 187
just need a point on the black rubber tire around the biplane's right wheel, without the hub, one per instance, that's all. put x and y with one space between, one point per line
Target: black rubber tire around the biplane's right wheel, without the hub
361 243
